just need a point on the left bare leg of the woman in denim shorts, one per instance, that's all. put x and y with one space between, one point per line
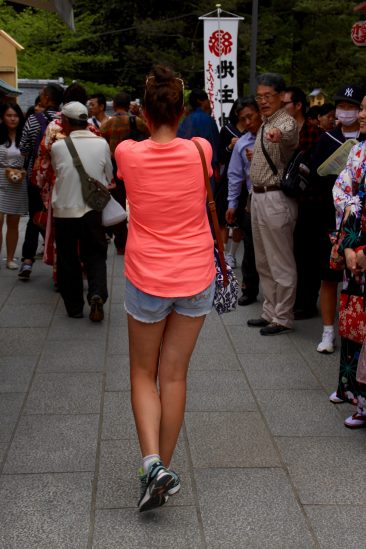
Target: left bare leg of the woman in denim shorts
144 345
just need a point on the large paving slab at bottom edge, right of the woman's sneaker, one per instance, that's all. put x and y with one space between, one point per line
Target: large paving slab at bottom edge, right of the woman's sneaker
260 510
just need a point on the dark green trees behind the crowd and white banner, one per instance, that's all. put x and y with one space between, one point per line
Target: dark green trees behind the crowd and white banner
117 42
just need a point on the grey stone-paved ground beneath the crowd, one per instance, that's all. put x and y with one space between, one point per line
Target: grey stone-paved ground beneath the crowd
264 457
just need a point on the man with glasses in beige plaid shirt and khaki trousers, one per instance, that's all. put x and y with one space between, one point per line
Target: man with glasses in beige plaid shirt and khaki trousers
273 214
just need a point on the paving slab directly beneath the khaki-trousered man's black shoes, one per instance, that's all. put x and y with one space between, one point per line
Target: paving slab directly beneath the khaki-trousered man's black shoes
248 340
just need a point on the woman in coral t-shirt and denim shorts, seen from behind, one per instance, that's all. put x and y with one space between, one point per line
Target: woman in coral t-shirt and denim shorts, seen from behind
169 276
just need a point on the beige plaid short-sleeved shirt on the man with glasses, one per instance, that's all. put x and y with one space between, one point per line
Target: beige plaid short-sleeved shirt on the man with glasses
260 172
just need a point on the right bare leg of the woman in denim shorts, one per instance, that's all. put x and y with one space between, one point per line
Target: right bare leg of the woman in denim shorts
180 336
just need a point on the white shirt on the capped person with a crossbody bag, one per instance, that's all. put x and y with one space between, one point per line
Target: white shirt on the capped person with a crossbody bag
94 153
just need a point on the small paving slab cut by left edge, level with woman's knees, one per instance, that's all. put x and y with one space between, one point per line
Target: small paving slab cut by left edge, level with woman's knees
15 373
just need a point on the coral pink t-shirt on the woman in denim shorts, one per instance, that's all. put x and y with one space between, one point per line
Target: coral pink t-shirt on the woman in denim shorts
169 250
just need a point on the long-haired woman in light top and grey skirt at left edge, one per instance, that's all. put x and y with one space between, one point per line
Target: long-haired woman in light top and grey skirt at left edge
13 188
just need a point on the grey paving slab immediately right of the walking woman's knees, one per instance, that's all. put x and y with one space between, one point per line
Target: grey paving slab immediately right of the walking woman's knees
216 390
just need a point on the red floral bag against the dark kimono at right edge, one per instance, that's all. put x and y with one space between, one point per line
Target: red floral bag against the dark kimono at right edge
352 312
